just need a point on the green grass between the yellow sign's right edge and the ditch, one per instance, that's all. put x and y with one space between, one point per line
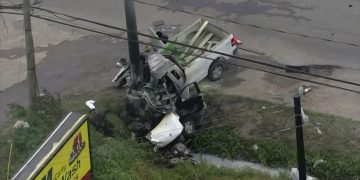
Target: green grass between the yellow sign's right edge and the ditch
121 158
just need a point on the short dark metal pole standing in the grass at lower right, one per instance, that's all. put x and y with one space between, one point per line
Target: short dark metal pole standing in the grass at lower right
299 138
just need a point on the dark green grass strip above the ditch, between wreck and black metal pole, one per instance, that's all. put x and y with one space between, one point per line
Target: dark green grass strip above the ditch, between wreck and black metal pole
224 142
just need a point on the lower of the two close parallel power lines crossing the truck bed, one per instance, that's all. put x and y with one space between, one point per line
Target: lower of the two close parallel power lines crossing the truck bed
144 43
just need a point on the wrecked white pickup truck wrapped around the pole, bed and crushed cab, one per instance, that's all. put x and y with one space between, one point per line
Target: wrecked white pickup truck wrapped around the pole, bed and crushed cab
169 87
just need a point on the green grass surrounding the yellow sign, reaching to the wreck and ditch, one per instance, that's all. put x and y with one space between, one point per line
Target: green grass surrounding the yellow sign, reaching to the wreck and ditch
113 158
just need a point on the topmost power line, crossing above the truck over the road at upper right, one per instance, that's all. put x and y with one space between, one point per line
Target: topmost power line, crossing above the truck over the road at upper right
246 24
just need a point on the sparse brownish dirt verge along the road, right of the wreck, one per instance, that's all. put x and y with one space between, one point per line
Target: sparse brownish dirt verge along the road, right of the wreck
256 119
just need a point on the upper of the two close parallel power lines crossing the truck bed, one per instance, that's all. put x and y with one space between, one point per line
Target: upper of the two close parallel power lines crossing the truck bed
204 49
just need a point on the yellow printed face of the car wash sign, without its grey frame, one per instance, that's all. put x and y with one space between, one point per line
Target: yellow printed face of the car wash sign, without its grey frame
72 161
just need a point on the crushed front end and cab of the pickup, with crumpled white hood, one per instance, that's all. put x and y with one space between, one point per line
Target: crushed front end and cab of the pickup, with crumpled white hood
173 108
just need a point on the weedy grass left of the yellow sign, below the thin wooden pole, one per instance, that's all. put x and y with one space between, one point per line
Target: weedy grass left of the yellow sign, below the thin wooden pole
25 141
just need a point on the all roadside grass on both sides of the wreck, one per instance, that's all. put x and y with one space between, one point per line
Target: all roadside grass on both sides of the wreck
239 122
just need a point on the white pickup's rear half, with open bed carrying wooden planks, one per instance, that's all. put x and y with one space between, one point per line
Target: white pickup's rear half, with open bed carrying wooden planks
201 34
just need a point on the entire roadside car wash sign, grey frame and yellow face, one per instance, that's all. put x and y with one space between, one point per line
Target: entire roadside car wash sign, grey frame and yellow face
64 155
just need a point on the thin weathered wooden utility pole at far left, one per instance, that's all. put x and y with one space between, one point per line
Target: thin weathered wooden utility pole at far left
30 57
